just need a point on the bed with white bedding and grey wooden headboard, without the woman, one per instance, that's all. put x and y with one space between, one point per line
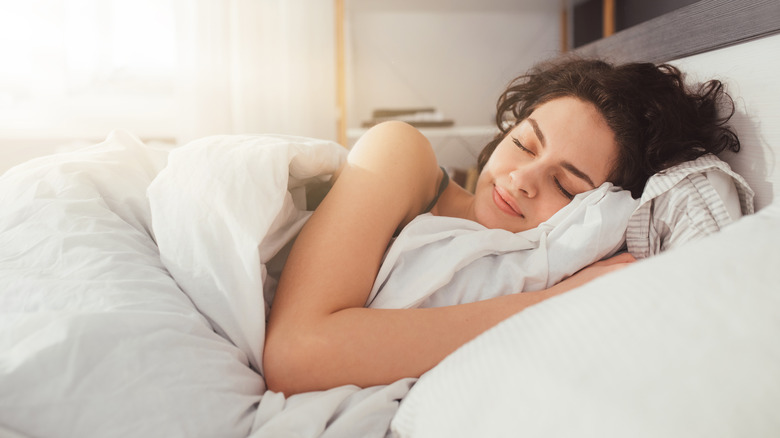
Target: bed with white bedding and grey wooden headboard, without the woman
120 315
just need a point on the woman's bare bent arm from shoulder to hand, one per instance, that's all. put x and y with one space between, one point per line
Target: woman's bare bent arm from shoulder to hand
319 334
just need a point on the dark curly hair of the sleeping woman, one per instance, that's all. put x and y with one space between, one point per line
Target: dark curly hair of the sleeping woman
658 120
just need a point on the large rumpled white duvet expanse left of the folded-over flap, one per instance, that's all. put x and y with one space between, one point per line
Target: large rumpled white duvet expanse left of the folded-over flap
96 338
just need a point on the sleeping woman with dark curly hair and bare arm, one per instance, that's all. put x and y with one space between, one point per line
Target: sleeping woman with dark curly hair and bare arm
566 128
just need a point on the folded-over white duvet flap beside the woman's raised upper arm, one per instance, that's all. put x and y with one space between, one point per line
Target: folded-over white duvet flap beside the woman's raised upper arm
222 209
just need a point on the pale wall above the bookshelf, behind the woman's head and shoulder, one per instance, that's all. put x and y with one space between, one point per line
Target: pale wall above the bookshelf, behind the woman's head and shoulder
456 56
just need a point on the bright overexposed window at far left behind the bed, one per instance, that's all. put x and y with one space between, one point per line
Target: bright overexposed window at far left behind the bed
76 68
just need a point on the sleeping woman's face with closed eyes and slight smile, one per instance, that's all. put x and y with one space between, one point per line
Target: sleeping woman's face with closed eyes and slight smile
563 148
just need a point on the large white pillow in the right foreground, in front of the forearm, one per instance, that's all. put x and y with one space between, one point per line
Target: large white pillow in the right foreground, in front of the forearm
683 344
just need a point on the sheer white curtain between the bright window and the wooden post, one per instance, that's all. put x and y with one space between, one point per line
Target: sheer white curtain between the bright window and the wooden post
255 66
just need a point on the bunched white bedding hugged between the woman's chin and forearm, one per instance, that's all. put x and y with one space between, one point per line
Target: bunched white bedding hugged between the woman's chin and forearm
440 261
